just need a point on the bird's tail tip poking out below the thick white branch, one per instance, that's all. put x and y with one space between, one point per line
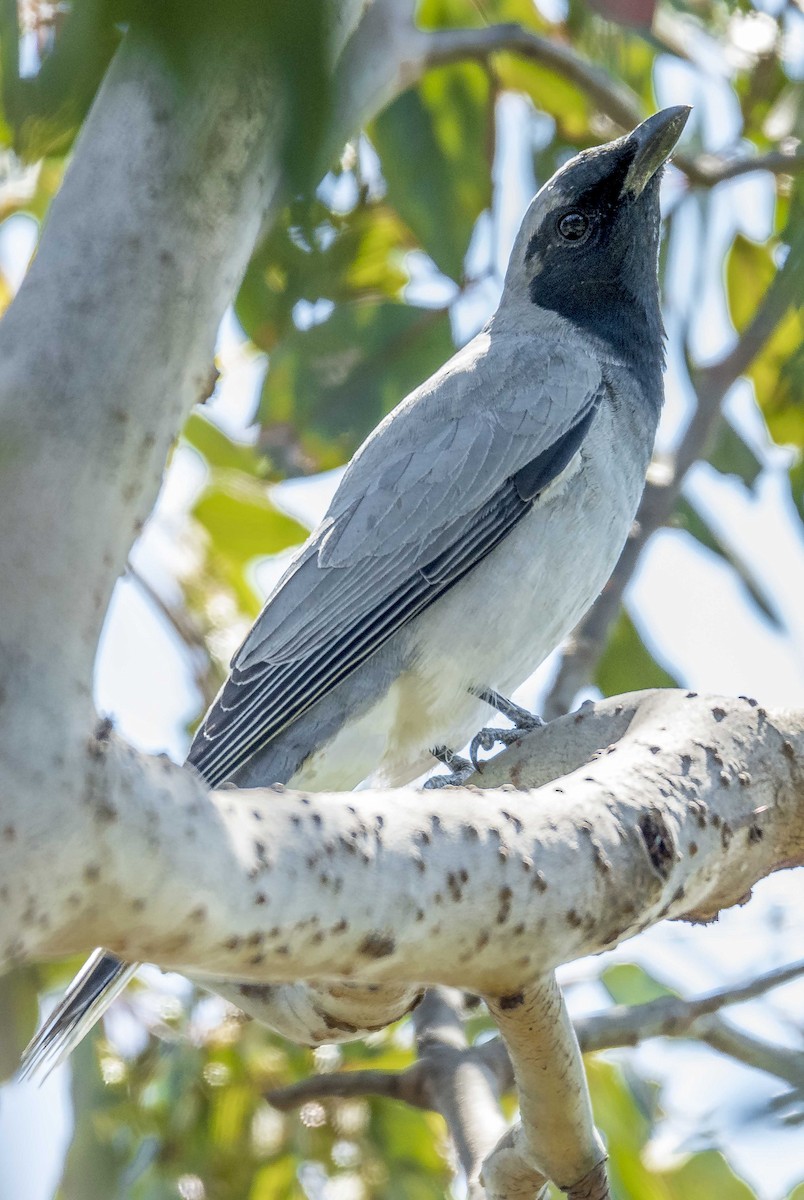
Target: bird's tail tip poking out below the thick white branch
87 999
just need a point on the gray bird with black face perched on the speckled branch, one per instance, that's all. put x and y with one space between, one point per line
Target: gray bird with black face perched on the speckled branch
470 533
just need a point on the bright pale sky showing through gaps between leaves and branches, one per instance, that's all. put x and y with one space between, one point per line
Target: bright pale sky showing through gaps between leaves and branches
688 604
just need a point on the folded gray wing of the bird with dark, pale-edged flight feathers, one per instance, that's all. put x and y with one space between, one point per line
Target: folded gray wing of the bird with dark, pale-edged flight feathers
442 481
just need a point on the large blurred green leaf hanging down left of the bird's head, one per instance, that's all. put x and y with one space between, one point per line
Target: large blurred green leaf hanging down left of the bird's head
436 147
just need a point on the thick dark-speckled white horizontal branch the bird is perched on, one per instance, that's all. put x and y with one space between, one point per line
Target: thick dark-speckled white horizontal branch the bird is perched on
689 799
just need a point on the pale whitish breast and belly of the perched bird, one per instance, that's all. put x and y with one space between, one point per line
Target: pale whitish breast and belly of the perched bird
500 623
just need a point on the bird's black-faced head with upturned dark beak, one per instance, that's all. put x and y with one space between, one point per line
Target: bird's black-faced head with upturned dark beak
589 244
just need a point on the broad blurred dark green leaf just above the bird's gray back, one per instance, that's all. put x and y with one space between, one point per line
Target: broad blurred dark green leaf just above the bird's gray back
332 385
